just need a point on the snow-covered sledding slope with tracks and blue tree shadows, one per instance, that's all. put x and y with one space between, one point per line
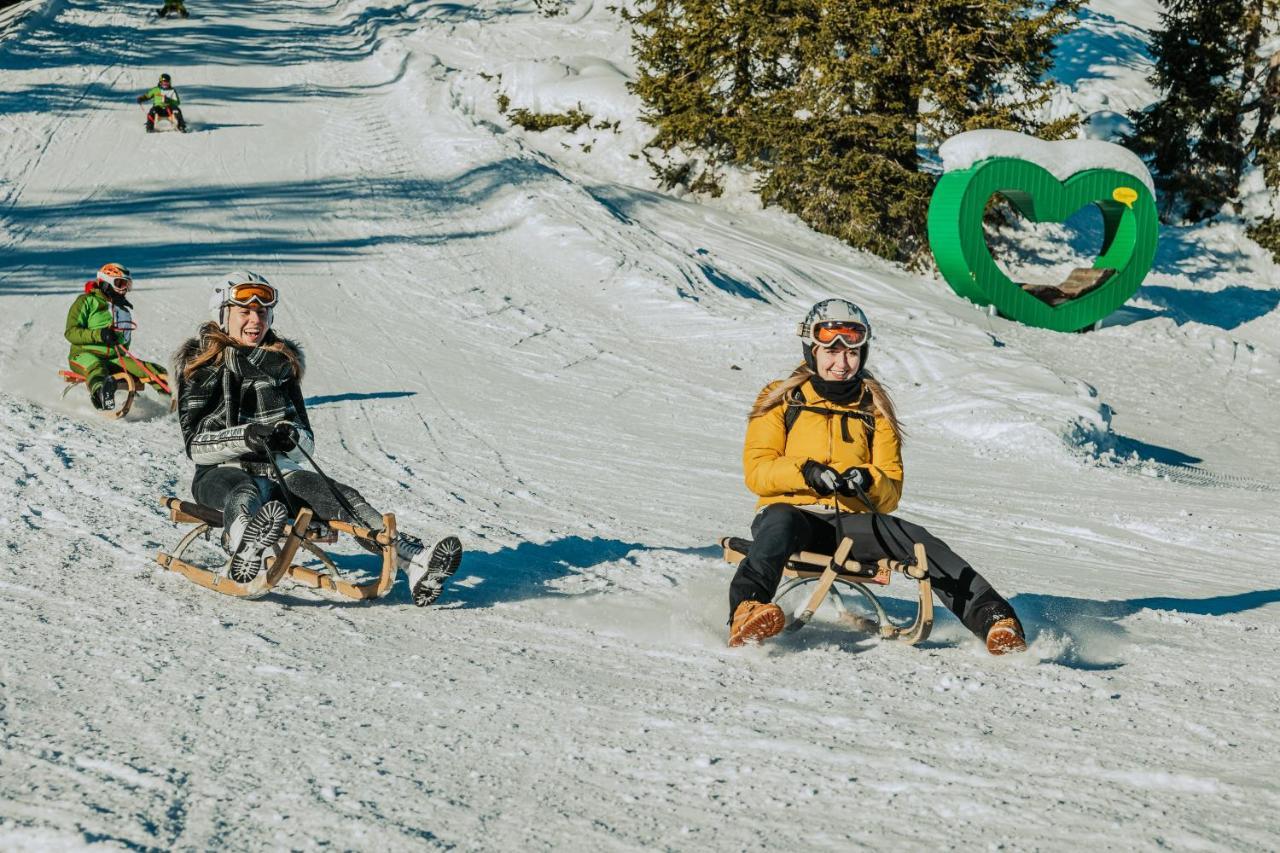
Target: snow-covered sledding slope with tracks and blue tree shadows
516 337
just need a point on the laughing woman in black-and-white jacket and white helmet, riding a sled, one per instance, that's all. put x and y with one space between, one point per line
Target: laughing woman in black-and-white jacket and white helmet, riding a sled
245 425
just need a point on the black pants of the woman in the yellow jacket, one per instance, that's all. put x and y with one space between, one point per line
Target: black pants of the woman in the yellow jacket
781 530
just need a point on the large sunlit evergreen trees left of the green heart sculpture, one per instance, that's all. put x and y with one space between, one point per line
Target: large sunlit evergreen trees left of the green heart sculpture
830 102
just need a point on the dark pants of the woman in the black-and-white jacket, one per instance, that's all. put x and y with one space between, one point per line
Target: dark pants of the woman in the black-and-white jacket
239 494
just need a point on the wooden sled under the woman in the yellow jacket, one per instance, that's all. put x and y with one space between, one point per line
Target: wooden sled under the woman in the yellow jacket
829 573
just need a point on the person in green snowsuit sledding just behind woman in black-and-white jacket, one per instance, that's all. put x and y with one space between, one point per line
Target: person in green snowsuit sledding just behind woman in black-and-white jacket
100 330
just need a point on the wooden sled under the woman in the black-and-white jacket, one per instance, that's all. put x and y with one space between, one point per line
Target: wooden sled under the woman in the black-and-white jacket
281 565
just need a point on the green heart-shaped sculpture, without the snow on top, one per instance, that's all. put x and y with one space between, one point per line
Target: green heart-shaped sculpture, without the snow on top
1131 229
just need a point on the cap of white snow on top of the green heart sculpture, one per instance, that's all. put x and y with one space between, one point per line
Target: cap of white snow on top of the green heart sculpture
1062 159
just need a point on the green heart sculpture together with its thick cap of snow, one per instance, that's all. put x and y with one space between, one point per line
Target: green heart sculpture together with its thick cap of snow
1045 183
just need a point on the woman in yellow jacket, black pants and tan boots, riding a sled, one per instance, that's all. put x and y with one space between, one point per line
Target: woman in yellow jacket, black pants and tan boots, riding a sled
829 436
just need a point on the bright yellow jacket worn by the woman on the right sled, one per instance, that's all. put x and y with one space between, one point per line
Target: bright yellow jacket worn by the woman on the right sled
772 458
